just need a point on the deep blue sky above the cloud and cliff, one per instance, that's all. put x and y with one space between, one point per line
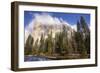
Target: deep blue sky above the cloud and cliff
71 18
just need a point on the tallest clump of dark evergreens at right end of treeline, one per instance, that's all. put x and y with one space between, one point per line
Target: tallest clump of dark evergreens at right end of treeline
82 37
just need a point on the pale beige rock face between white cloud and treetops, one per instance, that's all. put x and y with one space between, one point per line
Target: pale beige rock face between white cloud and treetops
45 29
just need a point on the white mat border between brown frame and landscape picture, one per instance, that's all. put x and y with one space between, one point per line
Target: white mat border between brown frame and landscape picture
23 64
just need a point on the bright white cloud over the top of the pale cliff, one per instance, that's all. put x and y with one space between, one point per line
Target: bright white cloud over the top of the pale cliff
45 18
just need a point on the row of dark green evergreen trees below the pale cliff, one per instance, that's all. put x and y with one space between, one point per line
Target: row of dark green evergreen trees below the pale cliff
62 45
